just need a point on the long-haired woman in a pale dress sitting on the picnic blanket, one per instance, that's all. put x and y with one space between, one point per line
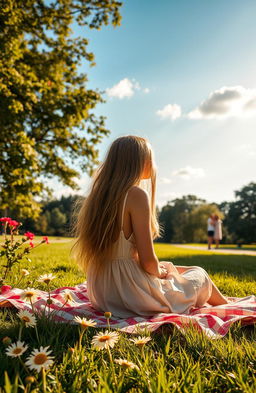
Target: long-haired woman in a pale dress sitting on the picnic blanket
115 229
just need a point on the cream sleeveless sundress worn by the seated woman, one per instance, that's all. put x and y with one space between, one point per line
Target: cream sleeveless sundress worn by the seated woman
126 290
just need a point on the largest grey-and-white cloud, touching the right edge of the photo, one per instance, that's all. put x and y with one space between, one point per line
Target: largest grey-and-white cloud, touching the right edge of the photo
228 101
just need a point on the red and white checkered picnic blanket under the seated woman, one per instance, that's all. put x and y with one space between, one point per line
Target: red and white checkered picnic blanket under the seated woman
213 321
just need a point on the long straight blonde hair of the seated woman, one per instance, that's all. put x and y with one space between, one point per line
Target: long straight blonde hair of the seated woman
97 225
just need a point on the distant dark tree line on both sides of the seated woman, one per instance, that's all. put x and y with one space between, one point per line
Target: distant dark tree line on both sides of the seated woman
182 220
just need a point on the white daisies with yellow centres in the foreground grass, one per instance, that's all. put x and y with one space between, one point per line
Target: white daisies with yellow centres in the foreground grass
41 359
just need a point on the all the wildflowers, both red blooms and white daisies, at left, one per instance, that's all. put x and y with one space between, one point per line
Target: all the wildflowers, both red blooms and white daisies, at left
41 359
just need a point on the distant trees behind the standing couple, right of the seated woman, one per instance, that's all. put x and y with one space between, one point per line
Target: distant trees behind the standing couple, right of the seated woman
183 220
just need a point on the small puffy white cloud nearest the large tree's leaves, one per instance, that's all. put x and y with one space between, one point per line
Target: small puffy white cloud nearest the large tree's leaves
125 88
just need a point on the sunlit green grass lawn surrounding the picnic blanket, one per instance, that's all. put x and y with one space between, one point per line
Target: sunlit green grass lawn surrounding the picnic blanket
170 362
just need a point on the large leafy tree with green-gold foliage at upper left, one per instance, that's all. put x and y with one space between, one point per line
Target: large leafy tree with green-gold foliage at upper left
47 120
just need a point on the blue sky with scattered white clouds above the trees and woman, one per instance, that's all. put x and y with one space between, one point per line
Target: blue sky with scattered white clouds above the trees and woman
183 75
